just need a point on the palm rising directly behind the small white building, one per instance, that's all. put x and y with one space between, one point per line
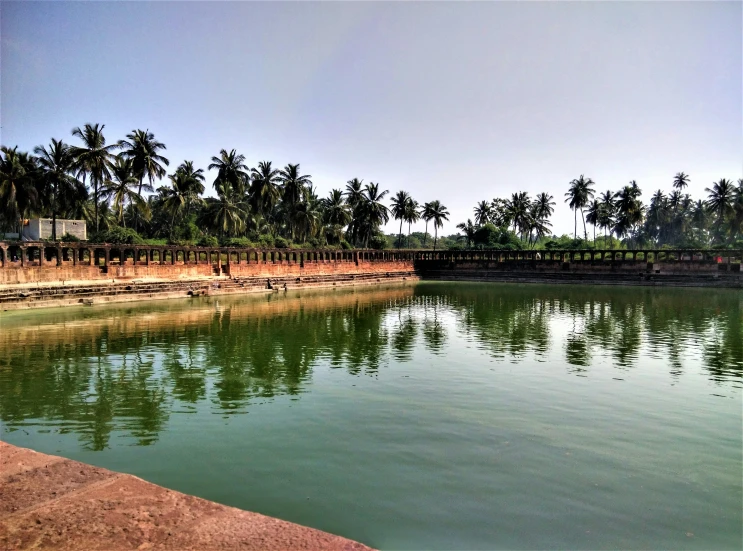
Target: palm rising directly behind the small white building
57 164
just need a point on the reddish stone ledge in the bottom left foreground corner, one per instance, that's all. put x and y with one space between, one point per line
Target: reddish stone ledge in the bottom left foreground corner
48 502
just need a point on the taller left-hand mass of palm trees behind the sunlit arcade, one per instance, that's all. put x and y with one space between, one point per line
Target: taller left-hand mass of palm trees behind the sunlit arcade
105 184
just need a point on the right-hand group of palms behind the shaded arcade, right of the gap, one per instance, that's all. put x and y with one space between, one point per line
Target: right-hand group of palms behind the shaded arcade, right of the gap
673 219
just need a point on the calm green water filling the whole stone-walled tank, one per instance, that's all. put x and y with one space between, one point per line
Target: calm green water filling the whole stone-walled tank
436 416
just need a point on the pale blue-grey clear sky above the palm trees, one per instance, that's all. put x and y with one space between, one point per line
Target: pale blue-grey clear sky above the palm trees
453 101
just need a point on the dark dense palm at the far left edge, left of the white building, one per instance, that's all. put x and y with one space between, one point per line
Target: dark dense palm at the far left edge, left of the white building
19 191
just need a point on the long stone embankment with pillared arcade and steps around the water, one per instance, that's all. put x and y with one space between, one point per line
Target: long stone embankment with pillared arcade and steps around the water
43 274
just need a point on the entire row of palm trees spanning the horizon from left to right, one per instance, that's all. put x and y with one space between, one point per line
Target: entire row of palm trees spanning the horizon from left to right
112 187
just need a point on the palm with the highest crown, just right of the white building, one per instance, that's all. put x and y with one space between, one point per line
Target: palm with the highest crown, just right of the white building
93 159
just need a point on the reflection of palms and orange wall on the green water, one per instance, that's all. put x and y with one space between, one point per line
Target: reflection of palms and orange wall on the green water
127 368
